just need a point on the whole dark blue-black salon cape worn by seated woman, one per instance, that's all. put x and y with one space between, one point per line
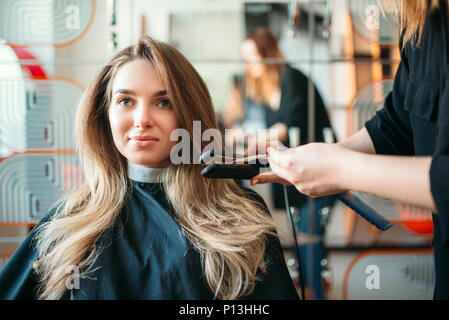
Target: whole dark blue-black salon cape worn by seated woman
145 256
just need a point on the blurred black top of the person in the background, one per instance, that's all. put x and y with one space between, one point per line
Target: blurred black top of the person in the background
293 112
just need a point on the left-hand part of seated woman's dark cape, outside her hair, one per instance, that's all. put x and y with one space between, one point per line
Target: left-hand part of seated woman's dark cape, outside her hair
17 278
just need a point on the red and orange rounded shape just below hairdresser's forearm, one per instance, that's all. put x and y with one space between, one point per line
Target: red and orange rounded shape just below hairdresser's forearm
416 220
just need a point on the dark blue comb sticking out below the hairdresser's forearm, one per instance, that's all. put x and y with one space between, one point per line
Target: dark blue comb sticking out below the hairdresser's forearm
364 211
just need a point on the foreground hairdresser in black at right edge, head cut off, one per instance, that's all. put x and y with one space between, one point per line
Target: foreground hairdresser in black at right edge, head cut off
402 154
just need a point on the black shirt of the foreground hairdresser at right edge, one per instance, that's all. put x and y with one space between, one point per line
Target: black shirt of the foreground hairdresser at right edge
415 121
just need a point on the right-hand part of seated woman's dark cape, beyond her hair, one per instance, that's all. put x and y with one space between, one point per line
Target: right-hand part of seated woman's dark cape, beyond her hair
276 284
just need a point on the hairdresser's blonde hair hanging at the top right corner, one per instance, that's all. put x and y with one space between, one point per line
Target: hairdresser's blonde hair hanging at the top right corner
411 15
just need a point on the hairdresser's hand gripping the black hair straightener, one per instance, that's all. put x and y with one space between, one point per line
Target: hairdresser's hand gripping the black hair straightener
314 169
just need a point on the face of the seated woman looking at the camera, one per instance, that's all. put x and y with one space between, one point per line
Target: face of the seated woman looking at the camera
141 116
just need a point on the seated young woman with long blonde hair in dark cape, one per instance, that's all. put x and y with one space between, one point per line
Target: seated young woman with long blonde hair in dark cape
141 227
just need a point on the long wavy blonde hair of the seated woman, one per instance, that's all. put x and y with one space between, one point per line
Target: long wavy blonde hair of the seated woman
227 226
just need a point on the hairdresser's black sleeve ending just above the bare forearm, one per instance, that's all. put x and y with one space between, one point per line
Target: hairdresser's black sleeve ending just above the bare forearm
390 129
